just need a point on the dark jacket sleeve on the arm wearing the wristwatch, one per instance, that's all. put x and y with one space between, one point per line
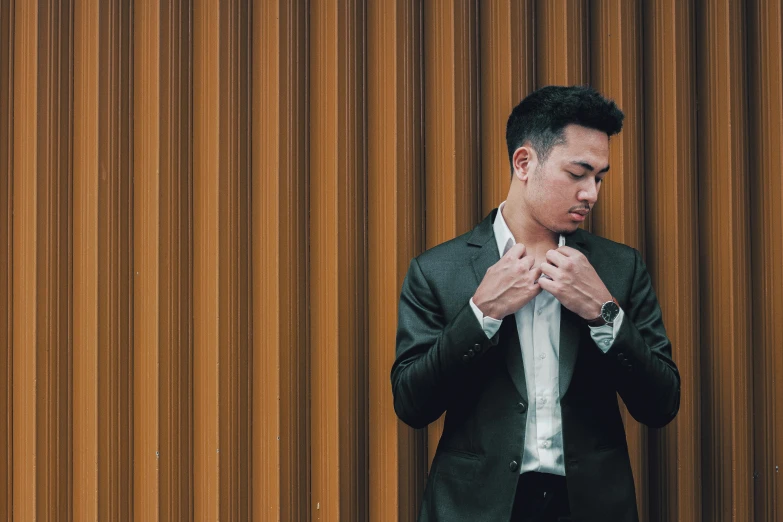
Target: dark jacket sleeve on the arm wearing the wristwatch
641 356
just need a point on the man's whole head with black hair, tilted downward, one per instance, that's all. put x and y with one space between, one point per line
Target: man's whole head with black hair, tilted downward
558 141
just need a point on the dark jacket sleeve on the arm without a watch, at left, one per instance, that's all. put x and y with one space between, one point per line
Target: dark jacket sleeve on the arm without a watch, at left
433 356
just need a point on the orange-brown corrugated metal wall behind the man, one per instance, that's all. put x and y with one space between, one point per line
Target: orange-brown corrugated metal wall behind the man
207 210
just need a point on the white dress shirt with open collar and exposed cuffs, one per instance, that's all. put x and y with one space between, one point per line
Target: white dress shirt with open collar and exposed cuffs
538 327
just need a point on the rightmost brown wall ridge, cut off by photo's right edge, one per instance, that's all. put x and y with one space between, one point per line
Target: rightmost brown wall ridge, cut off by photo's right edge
765 93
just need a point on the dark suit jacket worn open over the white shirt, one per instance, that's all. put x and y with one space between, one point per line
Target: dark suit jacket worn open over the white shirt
445 363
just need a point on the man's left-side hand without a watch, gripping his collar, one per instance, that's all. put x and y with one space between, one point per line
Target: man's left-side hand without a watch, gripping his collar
508 285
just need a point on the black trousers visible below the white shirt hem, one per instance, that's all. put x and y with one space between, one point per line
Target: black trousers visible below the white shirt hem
541 497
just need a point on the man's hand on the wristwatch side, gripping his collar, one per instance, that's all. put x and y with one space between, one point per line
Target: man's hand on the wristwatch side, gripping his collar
574 282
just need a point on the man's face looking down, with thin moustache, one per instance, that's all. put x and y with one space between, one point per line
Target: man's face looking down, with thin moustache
562 190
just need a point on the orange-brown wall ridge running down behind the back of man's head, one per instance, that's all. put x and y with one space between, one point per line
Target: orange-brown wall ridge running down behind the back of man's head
507 61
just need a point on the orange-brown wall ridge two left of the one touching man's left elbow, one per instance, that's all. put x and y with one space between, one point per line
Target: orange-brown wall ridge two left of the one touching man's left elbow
280 291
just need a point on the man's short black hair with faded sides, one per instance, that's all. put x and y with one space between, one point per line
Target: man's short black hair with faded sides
541 117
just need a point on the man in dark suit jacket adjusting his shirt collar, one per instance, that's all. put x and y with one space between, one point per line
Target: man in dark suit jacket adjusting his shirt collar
523 331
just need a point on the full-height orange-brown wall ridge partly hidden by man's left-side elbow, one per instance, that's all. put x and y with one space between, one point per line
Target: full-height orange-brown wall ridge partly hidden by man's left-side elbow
395 234
